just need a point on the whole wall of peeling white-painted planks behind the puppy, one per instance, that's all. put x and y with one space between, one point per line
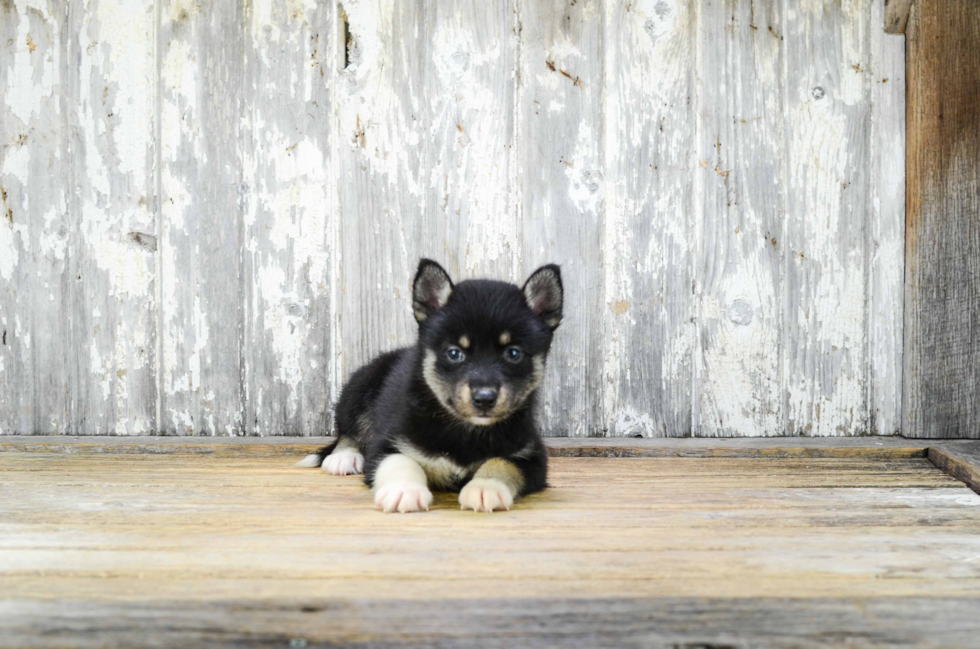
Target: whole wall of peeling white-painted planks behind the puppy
212 210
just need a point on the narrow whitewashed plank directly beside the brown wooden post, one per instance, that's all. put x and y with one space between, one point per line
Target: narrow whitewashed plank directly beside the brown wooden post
887 246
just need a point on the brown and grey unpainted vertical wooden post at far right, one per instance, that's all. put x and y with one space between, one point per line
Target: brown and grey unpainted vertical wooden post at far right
942 273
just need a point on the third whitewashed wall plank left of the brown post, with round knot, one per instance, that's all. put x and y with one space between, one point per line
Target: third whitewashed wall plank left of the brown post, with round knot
741 154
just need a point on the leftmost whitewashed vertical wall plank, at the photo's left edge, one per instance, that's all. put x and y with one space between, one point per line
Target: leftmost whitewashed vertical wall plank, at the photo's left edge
35 231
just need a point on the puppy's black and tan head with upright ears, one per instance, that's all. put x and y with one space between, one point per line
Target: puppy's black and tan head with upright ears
484 343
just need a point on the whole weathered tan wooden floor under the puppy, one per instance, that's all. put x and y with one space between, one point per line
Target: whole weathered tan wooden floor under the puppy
239 548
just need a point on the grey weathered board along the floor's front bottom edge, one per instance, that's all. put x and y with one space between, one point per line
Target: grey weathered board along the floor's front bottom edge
540 623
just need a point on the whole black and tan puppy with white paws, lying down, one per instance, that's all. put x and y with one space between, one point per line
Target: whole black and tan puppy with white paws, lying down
456 411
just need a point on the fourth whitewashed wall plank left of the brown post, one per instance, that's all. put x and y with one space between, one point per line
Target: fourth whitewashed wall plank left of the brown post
649 156
